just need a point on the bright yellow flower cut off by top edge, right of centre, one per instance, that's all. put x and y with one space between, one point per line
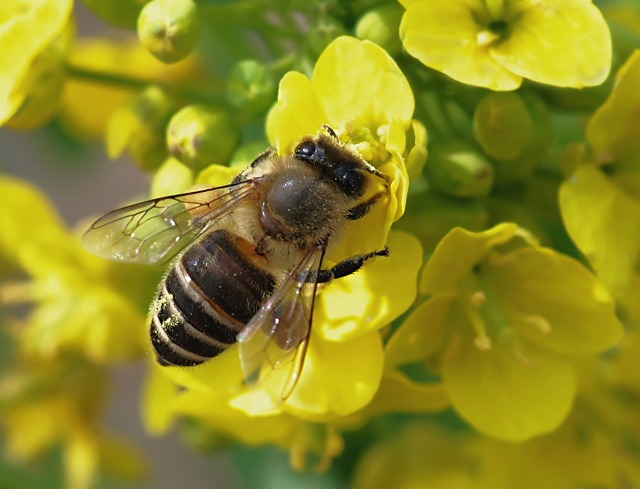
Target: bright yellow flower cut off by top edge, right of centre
497 43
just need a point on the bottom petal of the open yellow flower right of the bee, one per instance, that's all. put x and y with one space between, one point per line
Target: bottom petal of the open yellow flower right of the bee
508 392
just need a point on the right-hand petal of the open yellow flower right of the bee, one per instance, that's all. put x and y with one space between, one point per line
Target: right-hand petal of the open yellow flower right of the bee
554 301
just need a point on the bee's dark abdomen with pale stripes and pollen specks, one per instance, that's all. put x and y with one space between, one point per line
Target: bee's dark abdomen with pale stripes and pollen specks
209 295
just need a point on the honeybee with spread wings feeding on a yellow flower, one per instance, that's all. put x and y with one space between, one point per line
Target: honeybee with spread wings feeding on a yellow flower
247 257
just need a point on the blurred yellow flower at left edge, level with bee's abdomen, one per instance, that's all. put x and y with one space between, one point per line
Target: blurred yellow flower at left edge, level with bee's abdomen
77 305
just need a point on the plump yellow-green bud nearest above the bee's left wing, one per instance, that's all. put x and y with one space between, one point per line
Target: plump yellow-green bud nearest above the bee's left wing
198 136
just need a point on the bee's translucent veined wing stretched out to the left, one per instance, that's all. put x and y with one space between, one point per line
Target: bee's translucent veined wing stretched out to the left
155 230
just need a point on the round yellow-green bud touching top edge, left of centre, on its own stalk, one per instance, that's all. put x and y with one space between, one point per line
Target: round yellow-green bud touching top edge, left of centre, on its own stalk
169 29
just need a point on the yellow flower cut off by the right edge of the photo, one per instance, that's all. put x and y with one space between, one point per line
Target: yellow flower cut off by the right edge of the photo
602 211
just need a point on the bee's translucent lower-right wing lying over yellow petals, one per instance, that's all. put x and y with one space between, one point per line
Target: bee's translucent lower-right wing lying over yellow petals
273 345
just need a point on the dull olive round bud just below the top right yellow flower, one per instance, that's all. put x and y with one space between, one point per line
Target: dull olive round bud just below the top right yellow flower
502 125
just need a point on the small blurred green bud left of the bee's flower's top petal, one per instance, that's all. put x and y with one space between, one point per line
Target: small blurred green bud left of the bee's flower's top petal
251 87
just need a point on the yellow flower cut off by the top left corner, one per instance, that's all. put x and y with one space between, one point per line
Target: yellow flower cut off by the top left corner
34 37
